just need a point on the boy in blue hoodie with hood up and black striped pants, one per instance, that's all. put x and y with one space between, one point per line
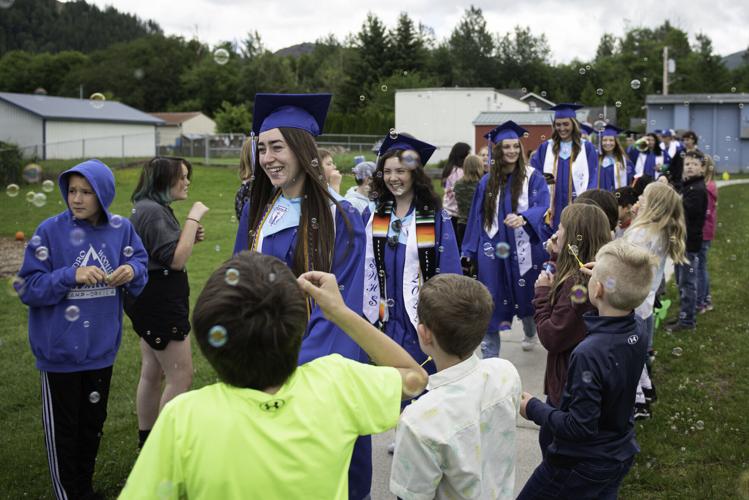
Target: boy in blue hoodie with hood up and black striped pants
72 278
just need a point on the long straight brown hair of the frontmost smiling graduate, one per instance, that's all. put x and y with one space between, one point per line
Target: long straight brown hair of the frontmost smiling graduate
318 238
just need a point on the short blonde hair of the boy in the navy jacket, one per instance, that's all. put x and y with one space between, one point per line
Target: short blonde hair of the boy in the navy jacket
626 271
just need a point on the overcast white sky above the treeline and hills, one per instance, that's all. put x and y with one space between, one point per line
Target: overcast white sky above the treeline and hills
572 31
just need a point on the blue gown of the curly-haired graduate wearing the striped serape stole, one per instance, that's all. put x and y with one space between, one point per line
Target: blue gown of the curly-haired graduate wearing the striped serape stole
399 327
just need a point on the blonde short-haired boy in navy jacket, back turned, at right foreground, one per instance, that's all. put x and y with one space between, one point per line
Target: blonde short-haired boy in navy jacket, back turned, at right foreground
594 438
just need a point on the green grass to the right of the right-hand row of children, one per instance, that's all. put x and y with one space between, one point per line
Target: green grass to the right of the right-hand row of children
709 382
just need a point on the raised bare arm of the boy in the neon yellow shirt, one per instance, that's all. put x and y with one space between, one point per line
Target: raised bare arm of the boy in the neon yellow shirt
323 288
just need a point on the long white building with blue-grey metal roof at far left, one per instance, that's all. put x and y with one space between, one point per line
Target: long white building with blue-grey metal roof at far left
48 127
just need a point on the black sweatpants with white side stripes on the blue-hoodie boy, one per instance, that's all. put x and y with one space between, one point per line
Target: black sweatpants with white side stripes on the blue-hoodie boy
74 408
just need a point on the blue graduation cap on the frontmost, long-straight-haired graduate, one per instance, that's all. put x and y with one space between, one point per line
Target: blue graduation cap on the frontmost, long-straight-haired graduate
302 111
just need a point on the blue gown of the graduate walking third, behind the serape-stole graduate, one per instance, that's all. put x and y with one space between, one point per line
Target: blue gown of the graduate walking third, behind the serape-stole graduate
512 292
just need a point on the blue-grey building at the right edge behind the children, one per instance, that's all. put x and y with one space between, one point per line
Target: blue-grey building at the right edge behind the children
721 122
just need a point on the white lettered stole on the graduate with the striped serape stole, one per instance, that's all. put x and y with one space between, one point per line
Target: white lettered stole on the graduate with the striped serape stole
412 278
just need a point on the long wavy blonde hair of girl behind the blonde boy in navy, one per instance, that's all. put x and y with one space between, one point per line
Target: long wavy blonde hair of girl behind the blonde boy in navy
663 215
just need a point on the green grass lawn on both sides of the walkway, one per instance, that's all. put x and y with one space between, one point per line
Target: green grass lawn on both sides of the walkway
708 382
